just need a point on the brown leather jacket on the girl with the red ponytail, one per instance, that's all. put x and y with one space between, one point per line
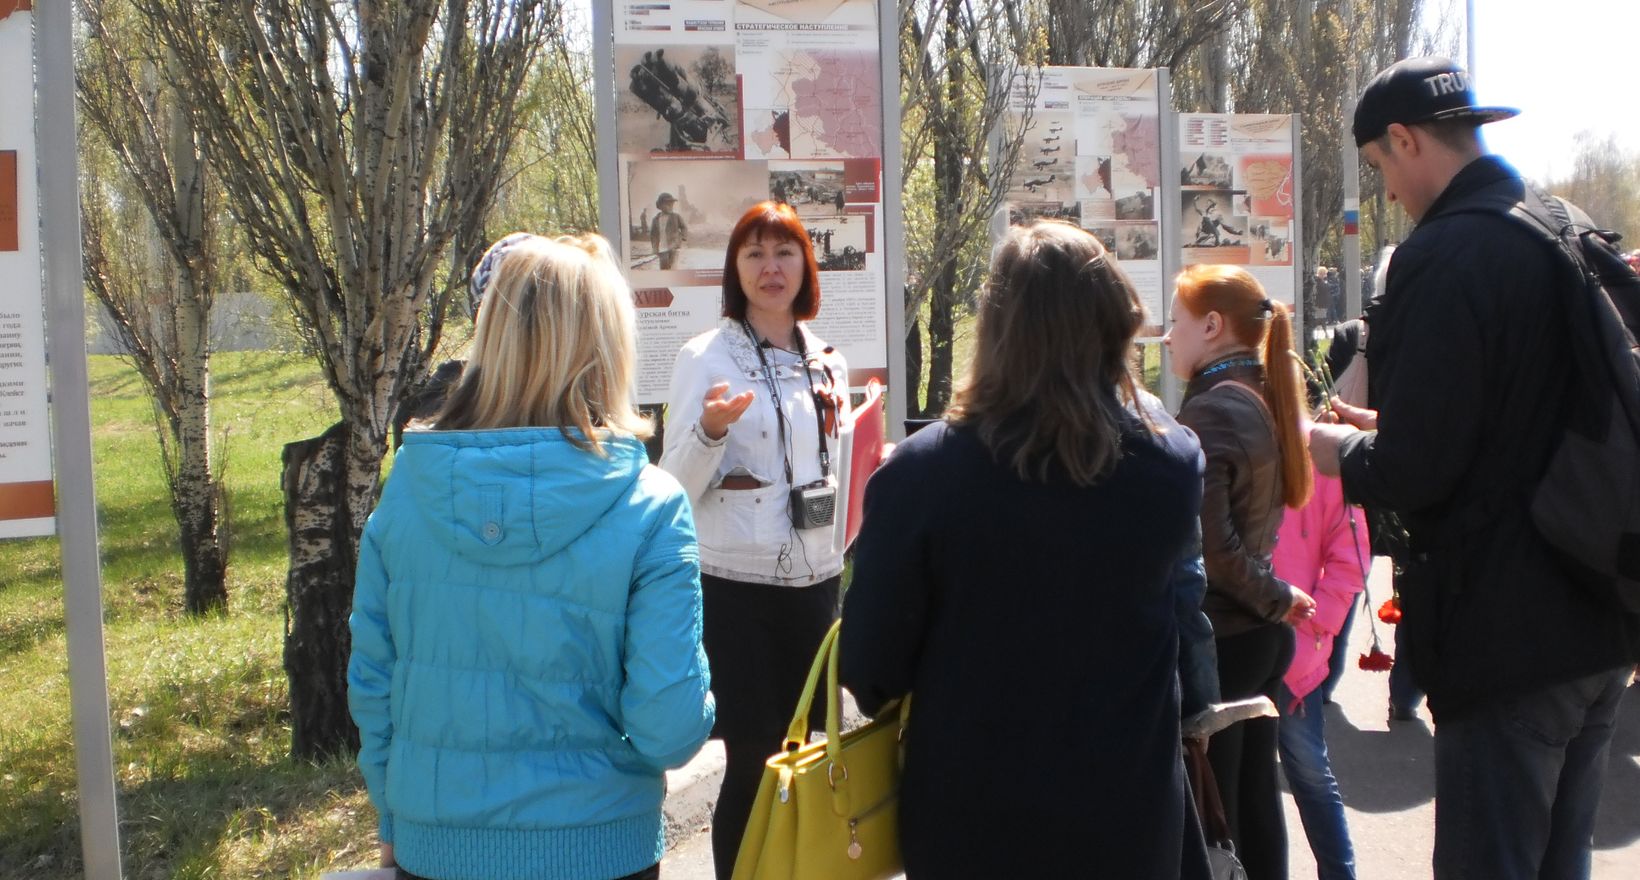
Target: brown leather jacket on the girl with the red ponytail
1241 496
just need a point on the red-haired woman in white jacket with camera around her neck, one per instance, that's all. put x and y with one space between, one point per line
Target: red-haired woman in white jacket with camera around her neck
757 430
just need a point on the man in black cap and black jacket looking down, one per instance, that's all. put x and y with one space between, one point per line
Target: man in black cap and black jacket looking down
1472 356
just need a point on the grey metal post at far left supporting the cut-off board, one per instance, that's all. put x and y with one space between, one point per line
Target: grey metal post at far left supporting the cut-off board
60 207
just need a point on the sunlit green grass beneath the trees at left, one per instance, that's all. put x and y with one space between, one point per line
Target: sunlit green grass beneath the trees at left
199 707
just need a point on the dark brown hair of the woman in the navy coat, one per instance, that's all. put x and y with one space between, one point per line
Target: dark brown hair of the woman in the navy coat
1052 365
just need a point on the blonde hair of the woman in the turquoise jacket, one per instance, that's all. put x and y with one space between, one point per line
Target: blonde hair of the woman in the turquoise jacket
555 347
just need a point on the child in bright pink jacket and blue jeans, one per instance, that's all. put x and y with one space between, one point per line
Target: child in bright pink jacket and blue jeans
1321 550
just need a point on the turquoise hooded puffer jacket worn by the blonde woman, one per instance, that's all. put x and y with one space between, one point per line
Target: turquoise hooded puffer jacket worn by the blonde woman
526 656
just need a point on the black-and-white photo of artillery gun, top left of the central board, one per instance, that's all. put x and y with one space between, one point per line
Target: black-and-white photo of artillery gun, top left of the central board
678 99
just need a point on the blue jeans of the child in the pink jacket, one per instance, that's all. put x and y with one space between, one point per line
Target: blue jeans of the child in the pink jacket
1314 787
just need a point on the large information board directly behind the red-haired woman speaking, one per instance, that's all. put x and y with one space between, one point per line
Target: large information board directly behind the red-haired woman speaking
724 104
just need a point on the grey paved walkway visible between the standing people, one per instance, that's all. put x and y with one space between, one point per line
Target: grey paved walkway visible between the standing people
1387 774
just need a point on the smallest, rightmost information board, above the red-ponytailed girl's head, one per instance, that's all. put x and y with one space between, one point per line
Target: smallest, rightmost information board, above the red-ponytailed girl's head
1239 196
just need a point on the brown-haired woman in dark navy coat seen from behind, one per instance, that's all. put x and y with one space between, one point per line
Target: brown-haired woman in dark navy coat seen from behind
1070 610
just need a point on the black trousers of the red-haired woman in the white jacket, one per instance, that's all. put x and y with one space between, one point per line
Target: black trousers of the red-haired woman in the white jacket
760 643
